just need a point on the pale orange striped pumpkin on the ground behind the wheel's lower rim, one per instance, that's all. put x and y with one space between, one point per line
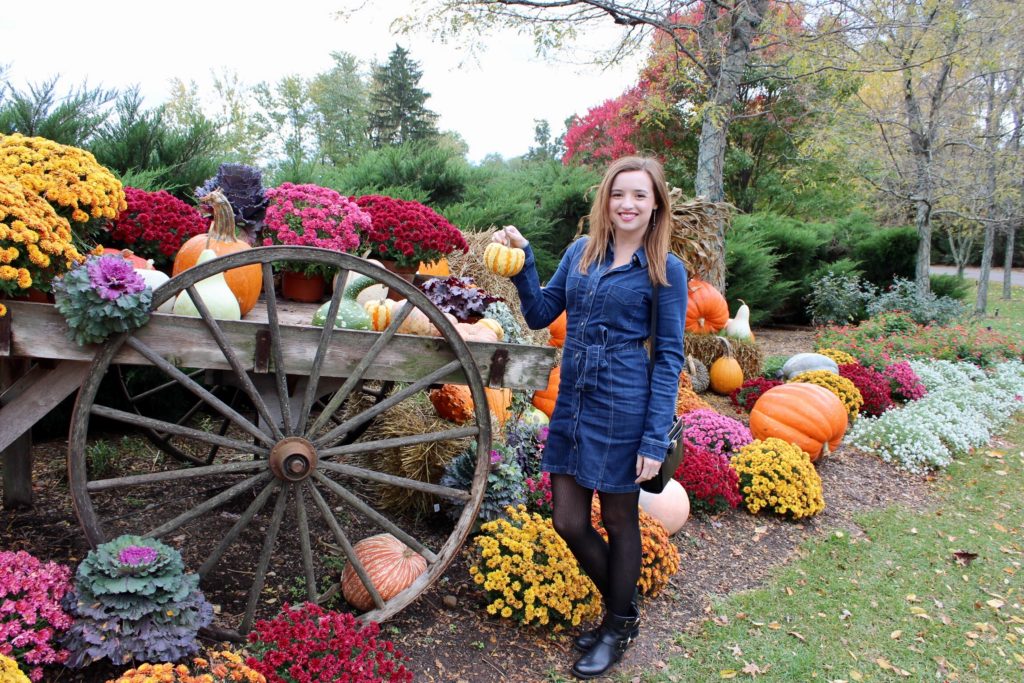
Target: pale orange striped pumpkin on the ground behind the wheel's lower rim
392 566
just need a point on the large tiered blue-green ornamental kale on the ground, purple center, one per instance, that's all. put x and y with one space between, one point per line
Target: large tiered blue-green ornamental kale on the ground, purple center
137 588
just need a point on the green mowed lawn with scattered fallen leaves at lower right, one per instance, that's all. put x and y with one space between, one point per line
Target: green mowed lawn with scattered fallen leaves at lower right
932 594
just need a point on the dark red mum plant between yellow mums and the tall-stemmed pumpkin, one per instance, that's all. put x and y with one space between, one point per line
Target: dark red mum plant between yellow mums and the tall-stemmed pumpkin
155 226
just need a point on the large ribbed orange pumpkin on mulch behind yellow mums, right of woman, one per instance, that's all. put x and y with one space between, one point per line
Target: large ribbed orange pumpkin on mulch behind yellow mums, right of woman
806 415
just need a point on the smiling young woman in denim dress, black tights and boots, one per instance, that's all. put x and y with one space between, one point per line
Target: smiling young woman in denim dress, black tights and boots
609 431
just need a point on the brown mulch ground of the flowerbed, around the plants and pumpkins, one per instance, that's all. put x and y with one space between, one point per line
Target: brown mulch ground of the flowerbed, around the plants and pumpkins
731 552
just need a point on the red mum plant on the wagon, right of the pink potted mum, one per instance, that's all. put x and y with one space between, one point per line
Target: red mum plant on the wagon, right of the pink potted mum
408 233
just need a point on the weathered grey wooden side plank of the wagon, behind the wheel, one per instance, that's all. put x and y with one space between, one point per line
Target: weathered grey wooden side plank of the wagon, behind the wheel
39 331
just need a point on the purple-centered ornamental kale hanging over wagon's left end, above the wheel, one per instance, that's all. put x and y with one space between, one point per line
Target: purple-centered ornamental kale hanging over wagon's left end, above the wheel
102 297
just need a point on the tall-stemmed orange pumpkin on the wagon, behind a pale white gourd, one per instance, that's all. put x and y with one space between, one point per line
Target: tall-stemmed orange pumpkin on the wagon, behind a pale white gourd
246 282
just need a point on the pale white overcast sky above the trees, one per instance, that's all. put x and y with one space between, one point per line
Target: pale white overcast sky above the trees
115 44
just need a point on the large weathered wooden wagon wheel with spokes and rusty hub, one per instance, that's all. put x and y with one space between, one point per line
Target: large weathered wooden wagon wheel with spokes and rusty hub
292 460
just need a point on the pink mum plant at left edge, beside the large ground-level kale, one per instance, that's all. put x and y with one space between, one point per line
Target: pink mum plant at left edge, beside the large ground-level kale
31 616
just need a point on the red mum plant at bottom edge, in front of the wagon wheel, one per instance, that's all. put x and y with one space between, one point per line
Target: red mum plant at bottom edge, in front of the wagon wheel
309 645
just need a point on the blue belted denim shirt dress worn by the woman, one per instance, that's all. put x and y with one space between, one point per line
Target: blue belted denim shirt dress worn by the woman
611 408
